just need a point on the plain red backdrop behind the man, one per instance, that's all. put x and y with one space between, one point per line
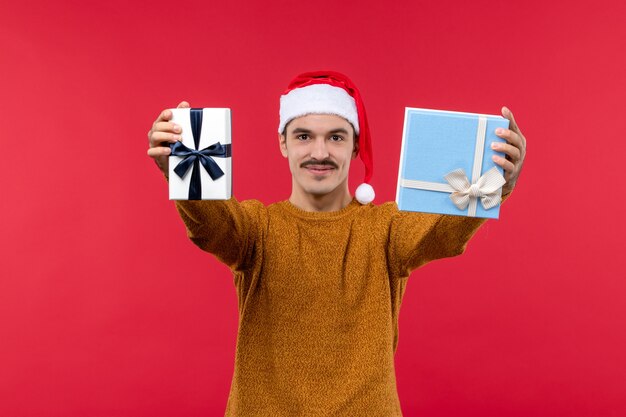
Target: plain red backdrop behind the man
107 309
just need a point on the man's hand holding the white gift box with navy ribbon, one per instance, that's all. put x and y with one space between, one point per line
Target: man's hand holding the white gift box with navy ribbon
162 133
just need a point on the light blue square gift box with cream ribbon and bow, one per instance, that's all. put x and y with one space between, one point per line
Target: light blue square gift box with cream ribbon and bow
436 145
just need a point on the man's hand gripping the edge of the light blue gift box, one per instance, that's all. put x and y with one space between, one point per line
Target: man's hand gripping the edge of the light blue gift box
514 150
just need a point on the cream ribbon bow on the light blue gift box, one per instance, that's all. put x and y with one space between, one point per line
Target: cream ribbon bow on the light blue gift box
487 188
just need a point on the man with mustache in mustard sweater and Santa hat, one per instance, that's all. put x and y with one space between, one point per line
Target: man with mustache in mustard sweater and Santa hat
320 277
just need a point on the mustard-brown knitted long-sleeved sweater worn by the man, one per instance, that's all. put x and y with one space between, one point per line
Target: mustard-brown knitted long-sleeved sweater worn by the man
319 296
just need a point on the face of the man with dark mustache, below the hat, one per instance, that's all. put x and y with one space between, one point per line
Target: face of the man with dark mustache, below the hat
319 148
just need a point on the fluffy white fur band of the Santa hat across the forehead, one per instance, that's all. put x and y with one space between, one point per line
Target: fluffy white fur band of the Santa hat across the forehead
318 99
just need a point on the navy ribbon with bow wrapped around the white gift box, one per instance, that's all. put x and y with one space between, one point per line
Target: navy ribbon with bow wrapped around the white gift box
194 157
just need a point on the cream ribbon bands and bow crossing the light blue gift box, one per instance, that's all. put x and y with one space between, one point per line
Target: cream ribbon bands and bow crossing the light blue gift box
487 187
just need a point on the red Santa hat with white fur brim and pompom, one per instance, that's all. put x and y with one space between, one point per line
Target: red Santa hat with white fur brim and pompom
329 92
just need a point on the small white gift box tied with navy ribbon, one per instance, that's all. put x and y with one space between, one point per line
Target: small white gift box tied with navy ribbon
204 162
